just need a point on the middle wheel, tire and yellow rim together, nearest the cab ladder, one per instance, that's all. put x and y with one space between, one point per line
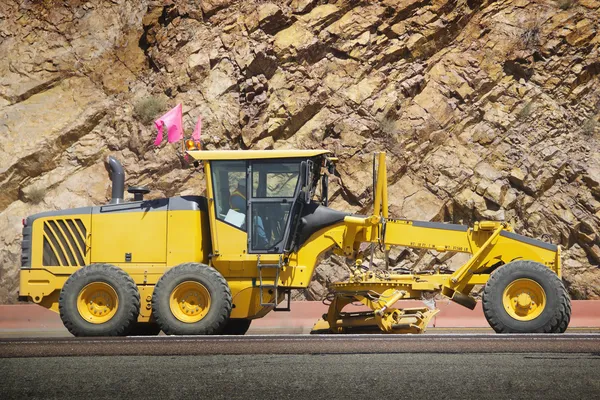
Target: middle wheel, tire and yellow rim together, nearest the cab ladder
191 299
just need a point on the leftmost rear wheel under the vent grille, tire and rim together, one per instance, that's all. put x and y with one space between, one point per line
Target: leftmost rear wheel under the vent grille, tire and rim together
99 300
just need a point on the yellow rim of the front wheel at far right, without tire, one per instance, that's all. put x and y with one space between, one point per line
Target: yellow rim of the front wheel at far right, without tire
524 299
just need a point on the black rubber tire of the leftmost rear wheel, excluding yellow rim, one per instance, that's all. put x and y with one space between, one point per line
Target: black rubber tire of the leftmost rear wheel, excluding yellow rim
127 311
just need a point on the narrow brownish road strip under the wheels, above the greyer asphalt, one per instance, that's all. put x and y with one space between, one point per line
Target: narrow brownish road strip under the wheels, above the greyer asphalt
300 344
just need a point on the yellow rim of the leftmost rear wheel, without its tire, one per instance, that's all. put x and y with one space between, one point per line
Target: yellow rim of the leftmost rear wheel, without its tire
97 302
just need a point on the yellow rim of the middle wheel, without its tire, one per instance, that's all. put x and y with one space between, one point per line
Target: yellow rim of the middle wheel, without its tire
190 302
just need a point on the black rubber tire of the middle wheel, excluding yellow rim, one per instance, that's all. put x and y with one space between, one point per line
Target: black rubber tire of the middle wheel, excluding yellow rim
220 307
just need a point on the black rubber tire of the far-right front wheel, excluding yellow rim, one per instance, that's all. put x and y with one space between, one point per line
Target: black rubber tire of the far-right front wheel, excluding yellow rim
556 314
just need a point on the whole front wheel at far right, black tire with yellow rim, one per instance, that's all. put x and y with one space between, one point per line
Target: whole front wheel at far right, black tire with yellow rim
526 297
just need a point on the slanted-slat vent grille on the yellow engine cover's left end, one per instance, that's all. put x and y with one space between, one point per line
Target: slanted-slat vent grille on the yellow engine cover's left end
64 243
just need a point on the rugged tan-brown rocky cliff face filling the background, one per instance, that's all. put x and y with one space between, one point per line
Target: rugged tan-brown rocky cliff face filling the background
487 109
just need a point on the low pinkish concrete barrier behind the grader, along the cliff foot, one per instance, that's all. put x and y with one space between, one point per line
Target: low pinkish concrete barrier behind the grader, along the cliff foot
302 317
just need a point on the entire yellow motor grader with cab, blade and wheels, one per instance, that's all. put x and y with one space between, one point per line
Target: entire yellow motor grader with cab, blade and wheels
193 265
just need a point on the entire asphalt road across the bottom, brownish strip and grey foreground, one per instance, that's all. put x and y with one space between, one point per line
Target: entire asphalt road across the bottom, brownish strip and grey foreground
304 367
